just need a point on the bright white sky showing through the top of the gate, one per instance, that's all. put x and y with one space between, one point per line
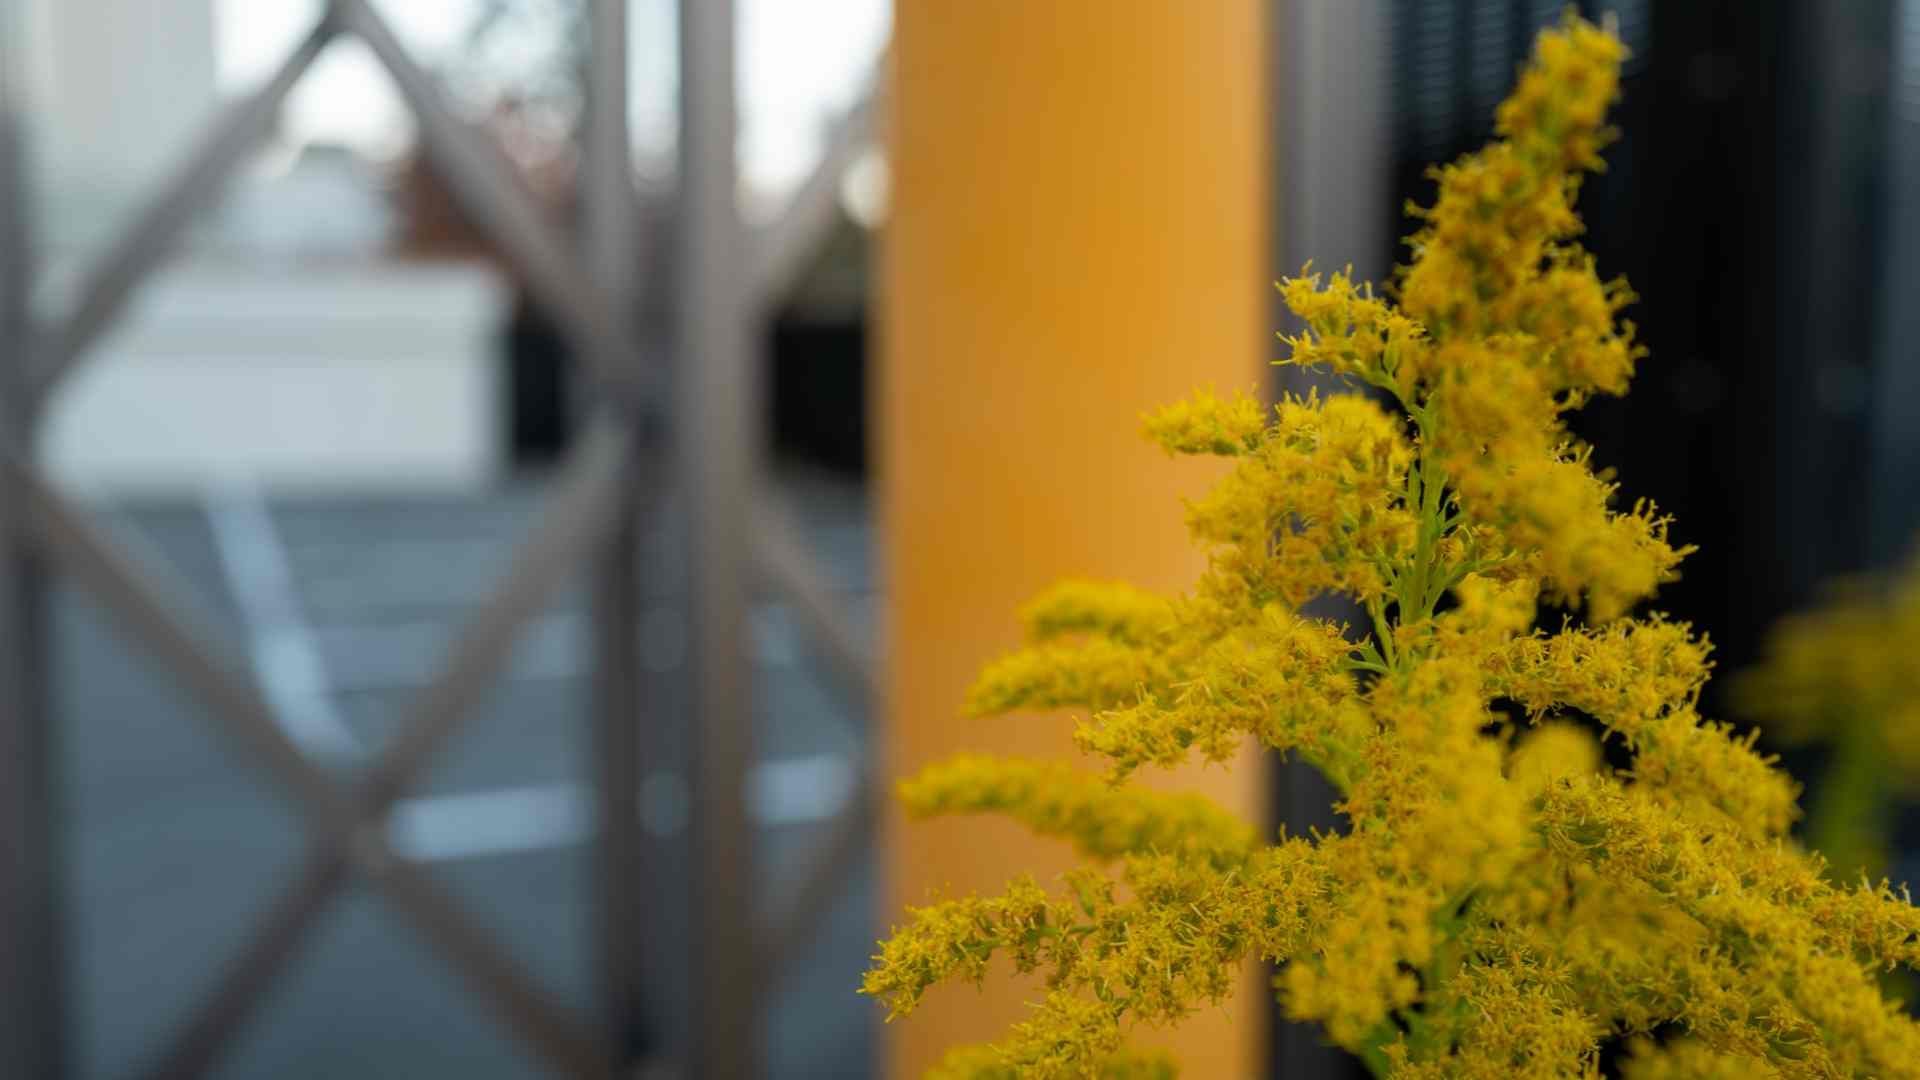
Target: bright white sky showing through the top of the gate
802 62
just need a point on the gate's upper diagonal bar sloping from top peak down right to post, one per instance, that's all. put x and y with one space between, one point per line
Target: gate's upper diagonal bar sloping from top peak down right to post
492 193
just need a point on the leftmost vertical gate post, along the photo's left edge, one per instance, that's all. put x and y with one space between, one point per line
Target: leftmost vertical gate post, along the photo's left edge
32 1018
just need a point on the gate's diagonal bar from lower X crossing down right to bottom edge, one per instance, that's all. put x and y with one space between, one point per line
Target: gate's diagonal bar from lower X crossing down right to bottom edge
487 968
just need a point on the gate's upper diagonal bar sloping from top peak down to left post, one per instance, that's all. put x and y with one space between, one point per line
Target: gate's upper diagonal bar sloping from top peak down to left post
122 270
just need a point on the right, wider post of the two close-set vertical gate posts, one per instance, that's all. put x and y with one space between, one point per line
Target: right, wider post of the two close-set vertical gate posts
713 443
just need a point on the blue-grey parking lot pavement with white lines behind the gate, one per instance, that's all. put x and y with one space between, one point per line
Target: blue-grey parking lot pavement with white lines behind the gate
176 845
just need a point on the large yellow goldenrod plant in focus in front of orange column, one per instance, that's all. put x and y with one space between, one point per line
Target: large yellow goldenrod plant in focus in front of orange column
1499 900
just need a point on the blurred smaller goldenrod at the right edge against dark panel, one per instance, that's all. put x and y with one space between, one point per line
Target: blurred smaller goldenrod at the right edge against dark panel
1848 675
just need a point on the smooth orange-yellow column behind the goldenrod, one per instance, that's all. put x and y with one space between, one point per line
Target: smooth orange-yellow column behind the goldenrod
1078 233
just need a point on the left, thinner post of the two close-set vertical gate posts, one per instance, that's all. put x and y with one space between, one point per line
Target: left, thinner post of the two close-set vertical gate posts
612 232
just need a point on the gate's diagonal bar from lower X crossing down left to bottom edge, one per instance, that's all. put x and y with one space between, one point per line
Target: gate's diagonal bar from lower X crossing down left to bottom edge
245 985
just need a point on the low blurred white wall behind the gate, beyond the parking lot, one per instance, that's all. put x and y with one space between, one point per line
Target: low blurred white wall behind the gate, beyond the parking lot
306 376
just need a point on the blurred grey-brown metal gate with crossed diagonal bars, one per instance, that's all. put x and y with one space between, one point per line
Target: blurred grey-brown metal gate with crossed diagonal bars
723 289
